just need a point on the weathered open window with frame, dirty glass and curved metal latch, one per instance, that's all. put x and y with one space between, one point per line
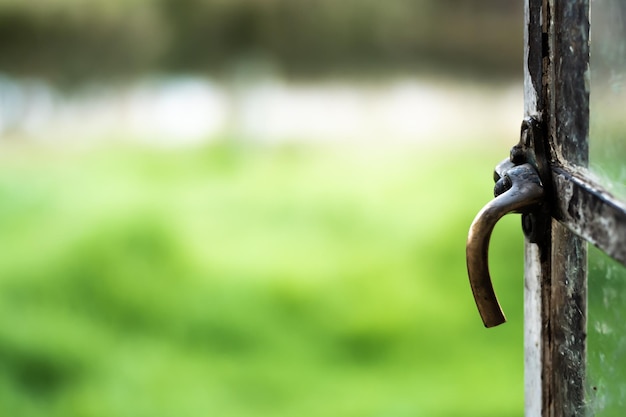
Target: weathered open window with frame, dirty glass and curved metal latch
575 250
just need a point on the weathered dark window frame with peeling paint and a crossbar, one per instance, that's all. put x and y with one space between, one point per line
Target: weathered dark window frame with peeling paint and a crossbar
556 92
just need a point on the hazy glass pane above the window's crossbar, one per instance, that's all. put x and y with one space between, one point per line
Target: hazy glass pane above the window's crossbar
608 93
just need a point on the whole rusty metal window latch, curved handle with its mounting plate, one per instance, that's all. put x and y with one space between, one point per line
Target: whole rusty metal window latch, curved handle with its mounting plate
518 189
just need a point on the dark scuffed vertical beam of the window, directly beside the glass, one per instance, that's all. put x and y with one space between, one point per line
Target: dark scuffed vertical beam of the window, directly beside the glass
564 270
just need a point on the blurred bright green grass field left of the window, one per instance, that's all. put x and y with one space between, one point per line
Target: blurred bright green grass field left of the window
227 281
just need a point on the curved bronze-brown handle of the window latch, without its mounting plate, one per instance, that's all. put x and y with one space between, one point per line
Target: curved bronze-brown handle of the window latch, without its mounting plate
518 190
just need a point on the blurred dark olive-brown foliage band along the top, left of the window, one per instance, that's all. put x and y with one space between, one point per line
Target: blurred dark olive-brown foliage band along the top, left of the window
71 40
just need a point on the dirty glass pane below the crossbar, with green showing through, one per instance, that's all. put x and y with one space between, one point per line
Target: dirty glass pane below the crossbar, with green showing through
606 333
